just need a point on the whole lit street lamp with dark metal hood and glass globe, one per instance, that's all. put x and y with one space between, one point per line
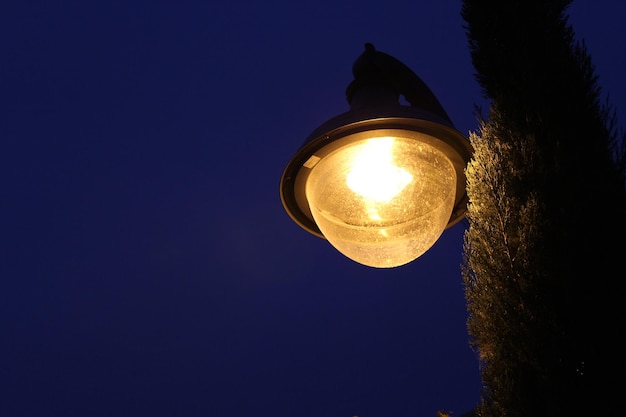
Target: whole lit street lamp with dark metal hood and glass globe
382 181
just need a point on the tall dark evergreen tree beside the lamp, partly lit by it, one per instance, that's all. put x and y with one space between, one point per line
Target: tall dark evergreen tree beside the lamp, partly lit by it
544 249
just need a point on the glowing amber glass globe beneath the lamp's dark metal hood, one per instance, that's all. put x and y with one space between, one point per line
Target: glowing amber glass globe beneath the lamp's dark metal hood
382 201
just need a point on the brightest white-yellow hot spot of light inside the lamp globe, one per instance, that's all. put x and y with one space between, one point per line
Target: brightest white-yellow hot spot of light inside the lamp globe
373 174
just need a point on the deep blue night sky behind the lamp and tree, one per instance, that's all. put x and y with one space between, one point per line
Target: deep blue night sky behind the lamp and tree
148 267
